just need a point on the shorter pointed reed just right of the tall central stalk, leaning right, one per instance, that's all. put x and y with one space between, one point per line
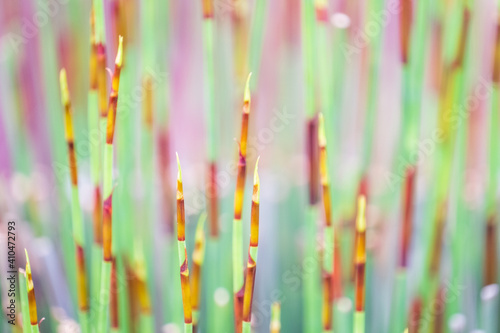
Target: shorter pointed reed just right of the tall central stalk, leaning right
252 253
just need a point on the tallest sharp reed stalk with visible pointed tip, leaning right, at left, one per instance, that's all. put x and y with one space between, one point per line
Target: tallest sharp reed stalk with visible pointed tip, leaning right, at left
106 269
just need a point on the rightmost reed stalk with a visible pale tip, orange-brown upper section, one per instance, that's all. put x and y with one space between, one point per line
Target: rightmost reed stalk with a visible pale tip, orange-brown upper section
360 259
